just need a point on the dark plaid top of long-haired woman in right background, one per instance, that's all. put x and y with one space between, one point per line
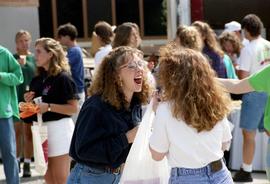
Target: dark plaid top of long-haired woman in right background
216 62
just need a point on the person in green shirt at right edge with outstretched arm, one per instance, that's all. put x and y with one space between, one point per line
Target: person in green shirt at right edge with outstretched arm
260 82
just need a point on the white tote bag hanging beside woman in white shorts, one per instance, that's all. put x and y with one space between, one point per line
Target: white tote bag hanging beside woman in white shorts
40 145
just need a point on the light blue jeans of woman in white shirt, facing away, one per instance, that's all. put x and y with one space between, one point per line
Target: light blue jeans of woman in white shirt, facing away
202 175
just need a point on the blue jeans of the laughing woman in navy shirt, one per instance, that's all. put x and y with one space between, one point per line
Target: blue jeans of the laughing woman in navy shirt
82 174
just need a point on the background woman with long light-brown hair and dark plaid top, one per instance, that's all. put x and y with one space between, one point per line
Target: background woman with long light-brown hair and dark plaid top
211 48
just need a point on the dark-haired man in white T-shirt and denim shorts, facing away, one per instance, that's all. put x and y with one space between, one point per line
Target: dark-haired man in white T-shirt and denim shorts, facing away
254 56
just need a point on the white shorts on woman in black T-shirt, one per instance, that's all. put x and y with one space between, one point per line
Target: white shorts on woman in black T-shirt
59 136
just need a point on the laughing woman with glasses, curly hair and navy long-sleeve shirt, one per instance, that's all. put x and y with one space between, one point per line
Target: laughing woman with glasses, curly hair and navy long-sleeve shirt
107 123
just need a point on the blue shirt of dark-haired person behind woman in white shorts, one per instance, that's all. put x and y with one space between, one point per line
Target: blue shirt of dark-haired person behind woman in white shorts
75 58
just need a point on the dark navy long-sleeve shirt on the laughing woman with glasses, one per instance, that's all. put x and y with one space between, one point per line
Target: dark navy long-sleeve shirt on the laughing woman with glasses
99 138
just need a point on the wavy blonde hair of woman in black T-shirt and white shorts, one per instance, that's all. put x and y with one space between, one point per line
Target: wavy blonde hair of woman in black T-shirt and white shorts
58 61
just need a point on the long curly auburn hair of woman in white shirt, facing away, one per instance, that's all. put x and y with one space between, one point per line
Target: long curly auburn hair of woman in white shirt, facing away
189 86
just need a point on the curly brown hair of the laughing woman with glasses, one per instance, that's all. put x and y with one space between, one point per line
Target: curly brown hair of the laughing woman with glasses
107 83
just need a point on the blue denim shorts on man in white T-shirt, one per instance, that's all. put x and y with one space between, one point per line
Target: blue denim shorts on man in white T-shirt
252 111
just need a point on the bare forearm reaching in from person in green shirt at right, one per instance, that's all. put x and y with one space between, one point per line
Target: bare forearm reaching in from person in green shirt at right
236 86
